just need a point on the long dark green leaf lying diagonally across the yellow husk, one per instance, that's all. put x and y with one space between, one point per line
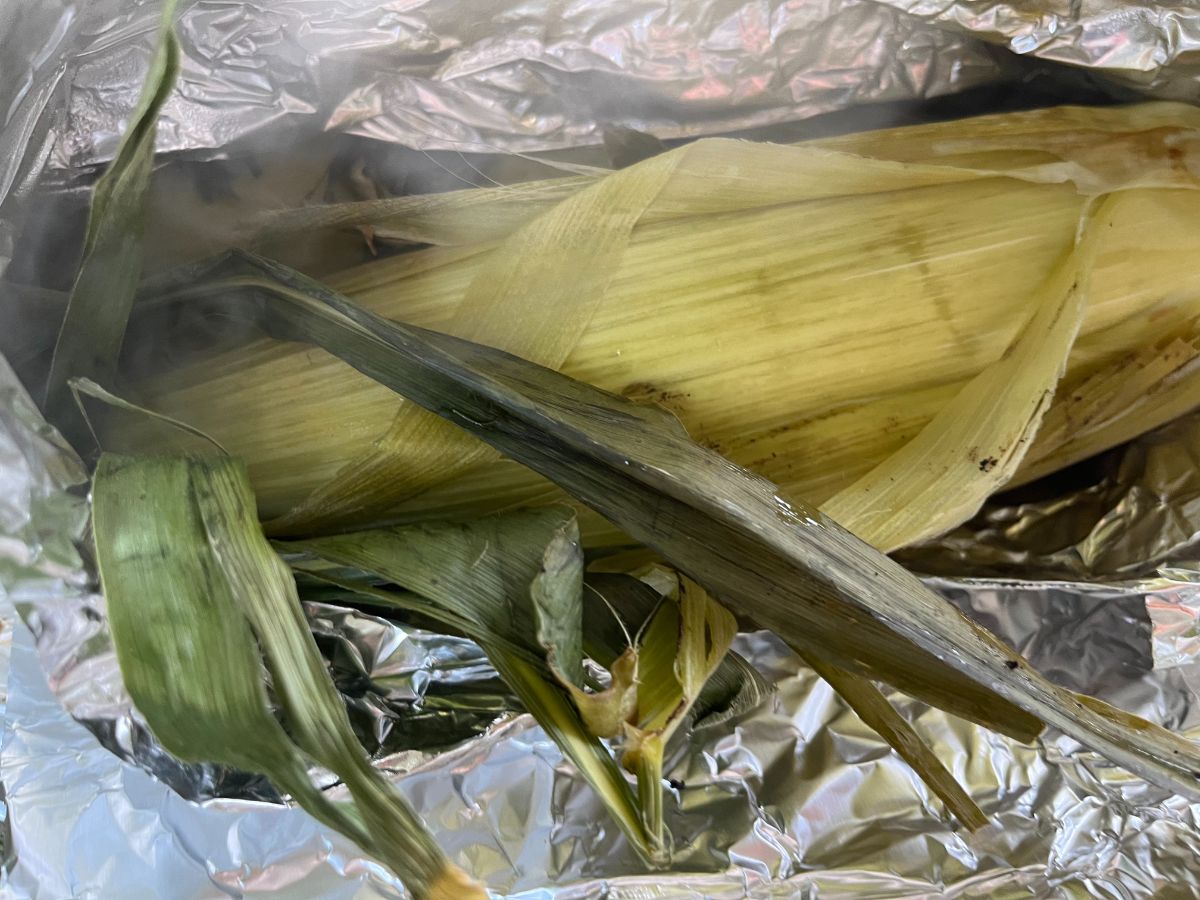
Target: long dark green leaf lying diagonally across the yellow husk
789 568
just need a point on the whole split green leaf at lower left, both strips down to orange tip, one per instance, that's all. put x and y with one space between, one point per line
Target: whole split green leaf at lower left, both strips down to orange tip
194 590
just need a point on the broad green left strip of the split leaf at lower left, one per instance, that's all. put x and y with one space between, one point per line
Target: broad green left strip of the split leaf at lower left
166 646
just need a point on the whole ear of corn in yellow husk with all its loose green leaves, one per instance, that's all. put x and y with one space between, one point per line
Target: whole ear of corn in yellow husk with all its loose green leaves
535 272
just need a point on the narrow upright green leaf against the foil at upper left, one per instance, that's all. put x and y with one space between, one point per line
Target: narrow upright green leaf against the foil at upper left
99 309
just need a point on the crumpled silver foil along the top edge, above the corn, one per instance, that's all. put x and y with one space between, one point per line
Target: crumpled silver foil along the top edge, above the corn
457 75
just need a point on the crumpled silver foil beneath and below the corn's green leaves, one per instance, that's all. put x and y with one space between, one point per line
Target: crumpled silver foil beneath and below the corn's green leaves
796 797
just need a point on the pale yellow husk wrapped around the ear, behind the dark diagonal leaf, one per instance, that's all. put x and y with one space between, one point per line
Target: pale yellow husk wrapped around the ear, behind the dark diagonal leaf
806 310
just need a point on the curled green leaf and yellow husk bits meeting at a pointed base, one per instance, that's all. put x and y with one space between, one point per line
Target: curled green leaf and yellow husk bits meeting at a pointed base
515 584
